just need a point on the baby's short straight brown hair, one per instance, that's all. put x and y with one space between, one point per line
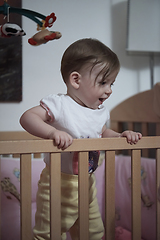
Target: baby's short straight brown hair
85 51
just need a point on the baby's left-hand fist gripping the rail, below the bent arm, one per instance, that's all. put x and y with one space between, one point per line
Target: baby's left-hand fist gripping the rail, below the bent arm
61 139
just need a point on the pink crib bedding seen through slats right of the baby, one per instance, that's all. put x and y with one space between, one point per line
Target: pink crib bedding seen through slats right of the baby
123 196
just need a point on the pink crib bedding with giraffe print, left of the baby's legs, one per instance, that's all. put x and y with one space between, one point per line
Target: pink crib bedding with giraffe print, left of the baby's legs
10 197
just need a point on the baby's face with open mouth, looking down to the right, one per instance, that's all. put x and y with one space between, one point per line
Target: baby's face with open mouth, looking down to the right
94 89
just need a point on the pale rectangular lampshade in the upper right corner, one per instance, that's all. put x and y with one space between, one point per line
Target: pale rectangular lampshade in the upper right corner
144 30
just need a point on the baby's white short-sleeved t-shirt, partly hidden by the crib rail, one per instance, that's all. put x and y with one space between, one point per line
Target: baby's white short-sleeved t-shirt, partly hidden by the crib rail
78 121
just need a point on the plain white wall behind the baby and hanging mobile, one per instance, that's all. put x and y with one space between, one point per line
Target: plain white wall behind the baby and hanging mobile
102 19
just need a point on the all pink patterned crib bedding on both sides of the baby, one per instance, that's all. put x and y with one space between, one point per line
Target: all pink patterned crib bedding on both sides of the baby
10 200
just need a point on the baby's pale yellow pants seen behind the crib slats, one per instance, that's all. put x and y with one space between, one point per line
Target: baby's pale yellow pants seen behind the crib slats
69 208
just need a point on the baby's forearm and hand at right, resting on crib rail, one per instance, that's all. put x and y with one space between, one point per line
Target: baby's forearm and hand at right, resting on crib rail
132 137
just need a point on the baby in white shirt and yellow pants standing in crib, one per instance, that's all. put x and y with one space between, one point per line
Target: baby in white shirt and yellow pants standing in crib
89 69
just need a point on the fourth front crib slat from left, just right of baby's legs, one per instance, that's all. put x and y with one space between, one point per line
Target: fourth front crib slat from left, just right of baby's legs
110 195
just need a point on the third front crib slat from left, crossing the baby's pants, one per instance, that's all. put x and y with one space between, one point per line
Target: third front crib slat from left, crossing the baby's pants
83 192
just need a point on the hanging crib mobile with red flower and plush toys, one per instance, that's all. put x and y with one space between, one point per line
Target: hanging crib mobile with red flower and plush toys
10 29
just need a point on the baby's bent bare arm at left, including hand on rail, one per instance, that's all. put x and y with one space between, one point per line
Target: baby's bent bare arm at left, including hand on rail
35 121
